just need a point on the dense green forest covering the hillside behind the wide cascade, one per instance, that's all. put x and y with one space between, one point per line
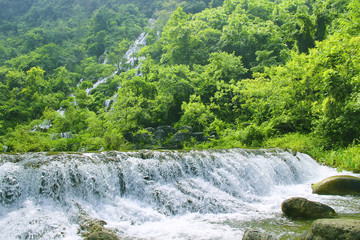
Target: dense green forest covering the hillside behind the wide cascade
244 73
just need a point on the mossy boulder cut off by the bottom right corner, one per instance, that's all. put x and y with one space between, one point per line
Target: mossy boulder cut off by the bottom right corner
334 229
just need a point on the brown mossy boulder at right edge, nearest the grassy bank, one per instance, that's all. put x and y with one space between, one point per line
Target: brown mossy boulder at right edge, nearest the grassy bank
338 185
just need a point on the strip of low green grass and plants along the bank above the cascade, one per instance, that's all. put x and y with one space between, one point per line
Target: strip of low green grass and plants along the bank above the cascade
341 158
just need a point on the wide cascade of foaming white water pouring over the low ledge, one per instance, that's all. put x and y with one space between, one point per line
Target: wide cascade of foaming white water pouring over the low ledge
209 194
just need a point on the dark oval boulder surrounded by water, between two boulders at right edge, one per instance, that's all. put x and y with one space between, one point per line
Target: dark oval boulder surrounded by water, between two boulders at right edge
302 208
